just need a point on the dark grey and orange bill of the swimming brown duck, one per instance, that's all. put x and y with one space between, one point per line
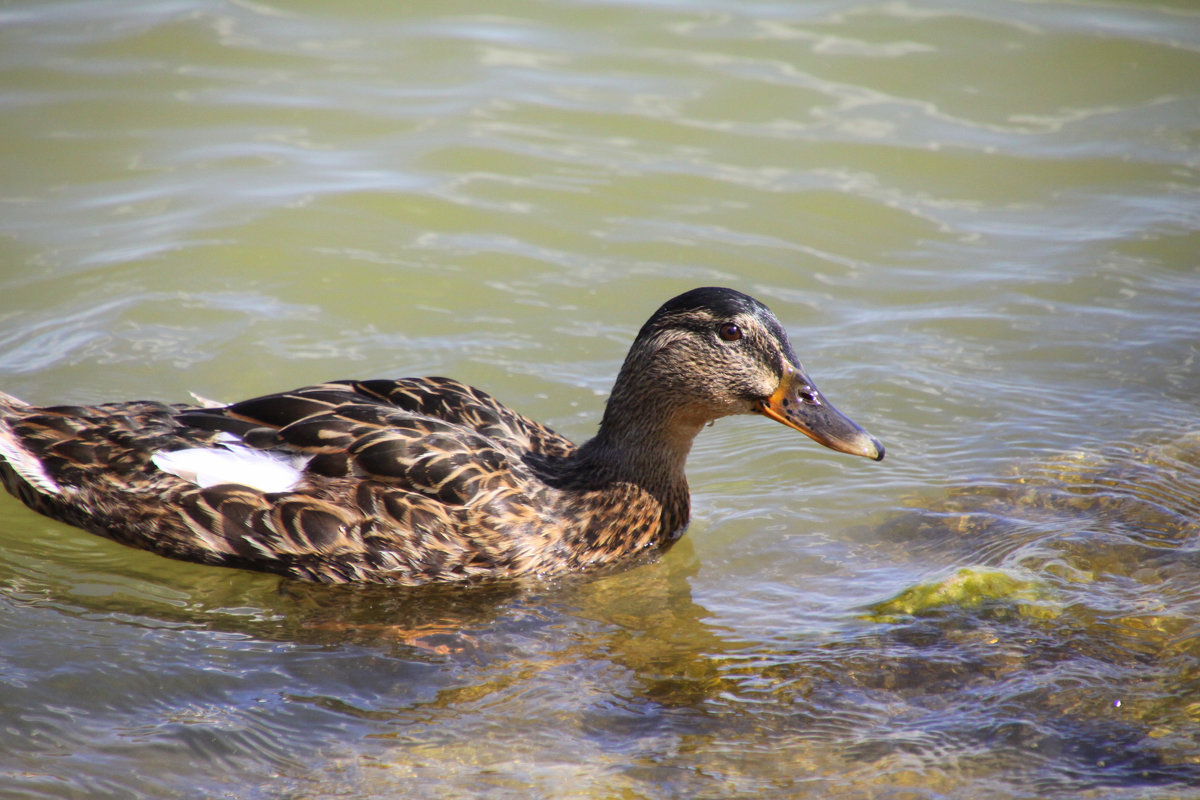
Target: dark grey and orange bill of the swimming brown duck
799 405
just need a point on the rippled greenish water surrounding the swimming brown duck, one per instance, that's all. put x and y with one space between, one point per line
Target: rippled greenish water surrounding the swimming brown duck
979 220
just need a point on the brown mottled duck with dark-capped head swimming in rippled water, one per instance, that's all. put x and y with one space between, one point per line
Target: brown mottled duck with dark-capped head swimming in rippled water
416 482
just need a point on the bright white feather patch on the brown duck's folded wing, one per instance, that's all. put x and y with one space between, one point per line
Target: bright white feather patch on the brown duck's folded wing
233 464
